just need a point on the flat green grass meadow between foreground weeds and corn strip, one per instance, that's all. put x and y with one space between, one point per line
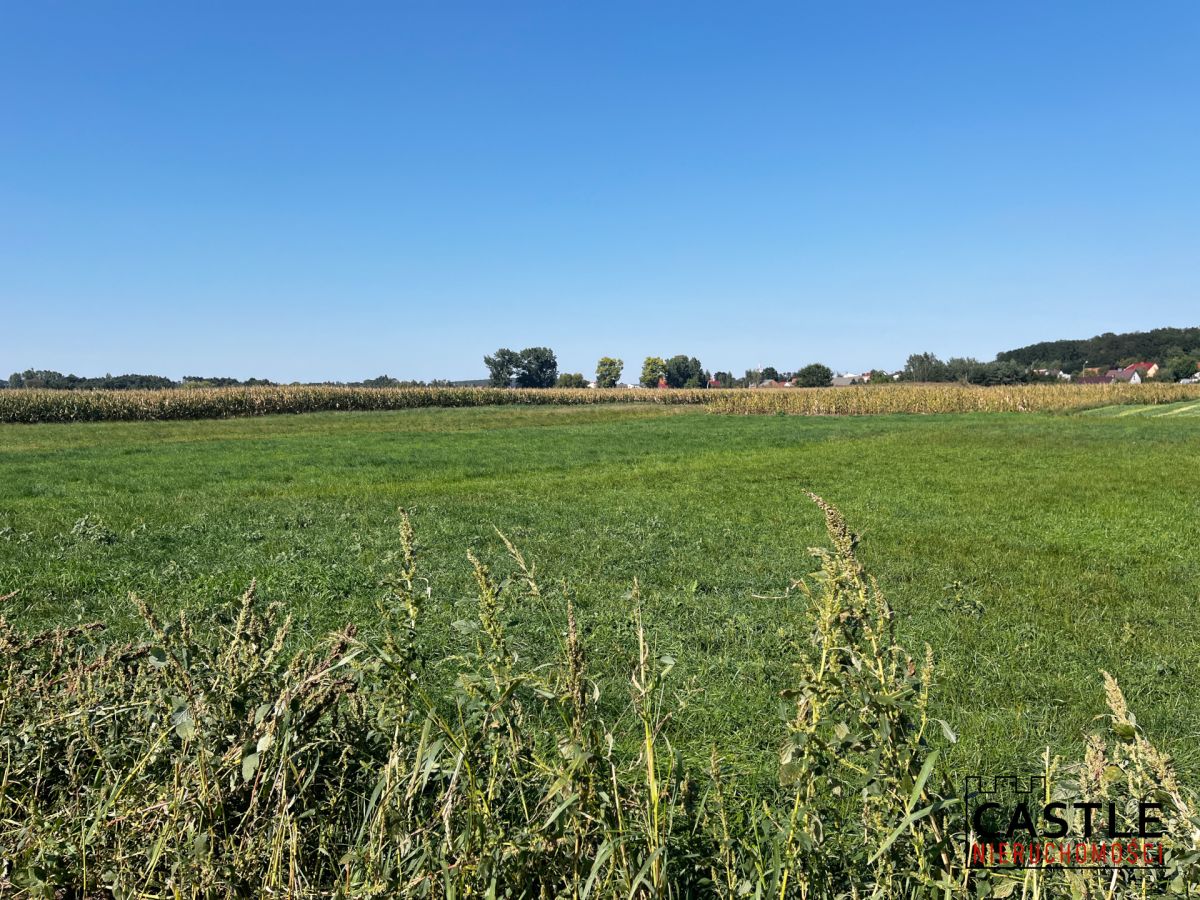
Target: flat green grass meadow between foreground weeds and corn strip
1030 551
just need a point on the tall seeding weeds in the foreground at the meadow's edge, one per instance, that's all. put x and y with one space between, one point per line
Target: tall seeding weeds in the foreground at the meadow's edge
215 760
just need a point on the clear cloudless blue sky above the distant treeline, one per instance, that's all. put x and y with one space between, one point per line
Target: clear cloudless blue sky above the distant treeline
305 191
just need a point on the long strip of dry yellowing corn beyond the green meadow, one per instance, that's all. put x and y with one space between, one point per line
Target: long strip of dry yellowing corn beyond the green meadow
55 406
